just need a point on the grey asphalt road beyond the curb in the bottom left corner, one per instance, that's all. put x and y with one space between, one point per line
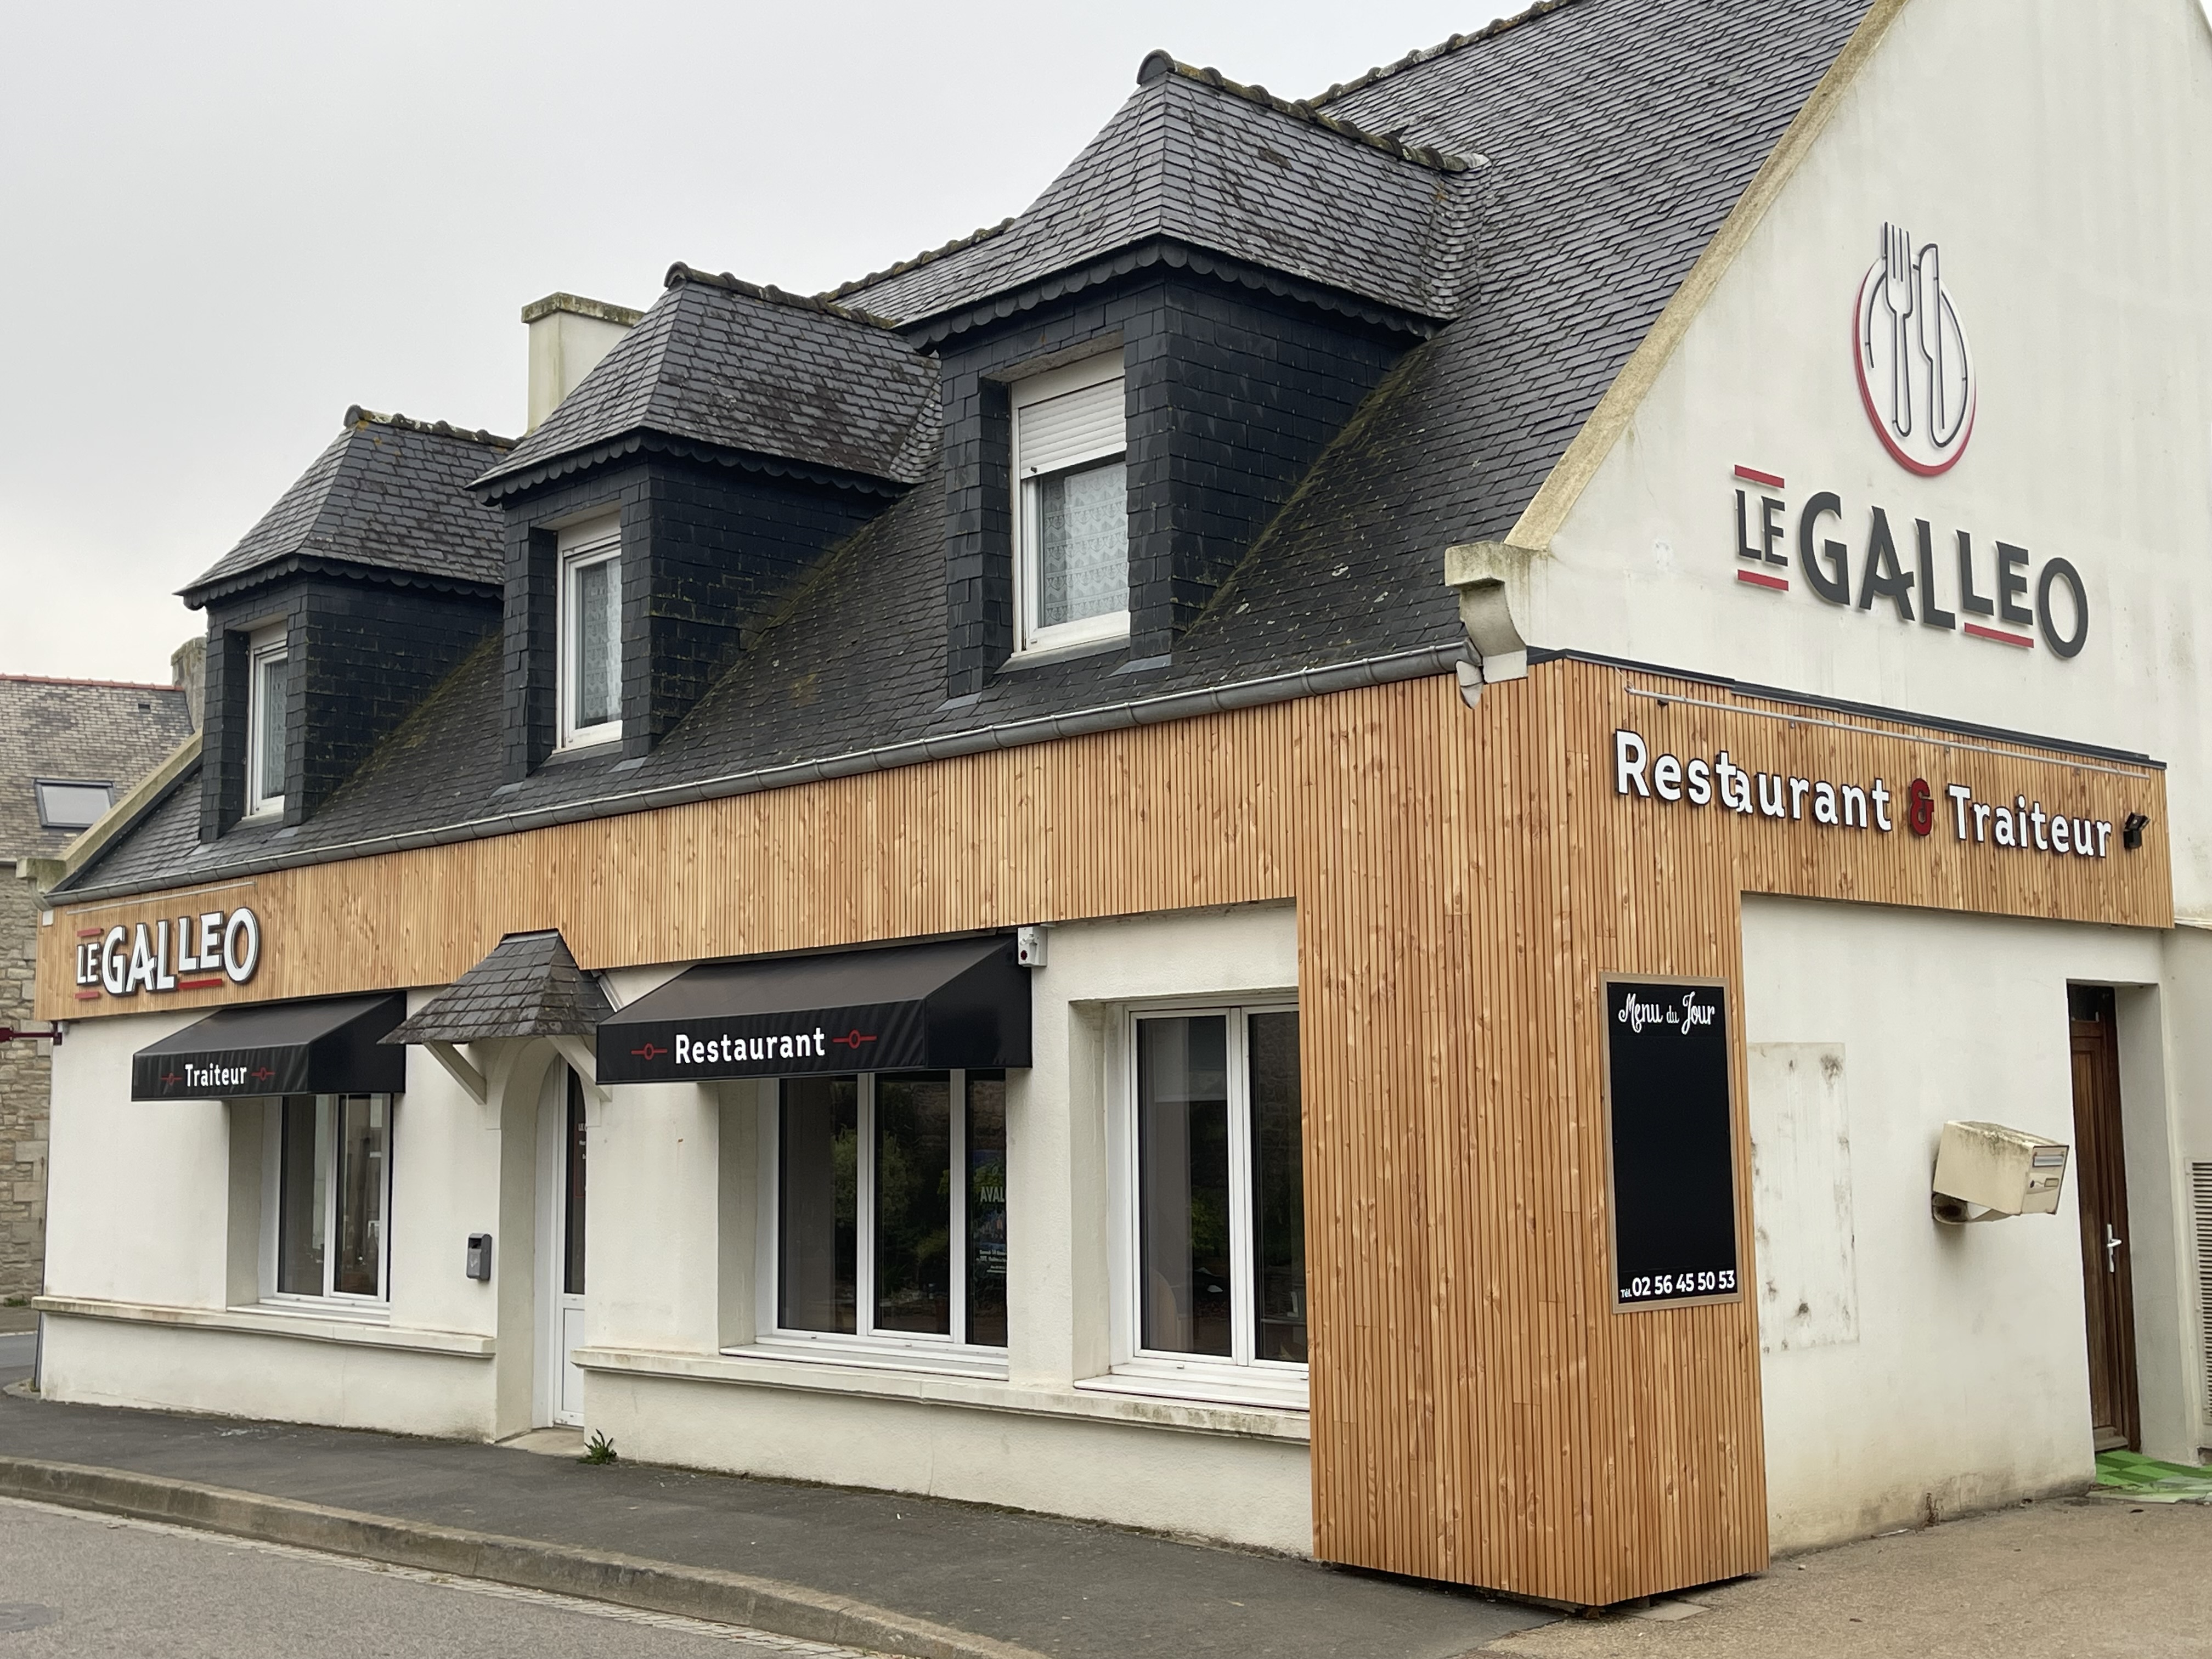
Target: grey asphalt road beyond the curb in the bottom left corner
92 1587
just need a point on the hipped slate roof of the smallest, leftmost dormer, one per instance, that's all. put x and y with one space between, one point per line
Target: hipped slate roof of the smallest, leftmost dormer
388 494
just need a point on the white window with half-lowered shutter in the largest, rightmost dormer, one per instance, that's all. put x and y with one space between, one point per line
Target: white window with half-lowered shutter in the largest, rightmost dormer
1072 508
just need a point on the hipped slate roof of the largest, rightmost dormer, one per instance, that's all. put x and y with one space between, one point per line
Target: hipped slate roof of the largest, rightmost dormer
1202 160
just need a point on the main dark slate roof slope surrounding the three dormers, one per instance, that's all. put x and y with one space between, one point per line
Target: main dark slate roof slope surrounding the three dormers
1616 138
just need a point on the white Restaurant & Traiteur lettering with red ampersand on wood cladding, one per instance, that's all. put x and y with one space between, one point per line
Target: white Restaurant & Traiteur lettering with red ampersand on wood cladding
1859 808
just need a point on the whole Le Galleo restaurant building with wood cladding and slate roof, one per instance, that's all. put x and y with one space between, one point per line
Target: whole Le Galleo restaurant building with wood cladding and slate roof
1306 848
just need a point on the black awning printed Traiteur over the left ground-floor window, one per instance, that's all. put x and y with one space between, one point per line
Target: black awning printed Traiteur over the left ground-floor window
324 1047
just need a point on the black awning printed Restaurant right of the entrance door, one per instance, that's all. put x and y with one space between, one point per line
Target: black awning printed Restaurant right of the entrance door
961 1003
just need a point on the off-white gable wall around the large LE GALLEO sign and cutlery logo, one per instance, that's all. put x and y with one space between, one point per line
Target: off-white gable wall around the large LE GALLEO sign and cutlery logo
2058 156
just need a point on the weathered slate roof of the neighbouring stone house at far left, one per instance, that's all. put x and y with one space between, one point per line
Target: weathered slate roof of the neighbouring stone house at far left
76 731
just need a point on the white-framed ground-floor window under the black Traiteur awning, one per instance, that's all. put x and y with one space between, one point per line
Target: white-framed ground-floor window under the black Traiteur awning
328 1200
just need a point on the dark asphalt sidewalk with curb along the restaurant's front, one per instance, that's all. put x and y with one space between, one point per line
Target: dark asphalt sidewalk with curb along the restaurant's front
866 1569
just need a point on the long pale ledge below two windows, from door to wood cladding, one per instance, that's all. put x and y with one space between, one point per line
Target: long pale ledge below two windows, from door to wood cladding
1085 1404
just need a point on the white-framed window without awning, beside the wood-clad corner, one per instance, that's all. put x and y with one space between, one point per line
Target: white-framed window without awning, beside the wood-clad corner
1220 1191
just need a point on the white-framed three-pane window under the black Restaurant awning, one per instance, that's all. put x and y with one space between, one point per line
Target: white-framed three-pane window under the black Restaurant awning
884 1202
